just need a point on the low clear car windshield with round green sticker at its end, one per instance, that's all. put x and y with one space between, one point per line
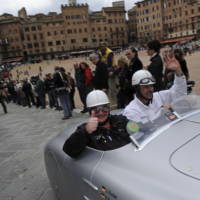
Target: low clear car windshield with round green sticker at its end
142 134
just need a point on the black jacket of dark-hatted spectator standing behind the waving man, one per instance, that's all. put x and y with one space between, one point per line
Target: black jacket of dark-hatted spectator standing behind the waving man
156 69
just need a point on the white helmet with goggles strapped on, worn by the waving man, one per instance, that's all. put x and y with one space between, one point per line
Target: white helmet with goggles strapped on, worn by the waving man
142 77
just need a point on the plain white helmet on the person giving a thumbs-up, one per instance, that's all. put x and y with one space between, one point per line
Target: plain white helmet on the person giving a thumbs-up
96 98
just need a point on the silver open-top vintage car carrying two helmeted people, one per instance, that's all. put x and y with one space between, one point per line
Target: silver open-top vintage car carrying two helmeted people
161 163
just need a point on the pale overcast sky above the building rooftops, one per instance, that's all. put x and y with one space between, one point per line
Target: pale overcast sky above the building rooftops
45 6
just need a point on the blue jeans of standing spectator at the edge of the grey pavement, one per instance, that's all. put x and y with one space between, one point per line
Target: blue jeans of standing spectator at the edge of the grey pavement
63 95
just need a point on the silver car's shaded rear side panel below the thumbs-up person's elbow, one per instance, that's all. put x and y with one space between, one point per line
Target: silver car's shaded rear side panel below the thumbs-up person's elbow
68 177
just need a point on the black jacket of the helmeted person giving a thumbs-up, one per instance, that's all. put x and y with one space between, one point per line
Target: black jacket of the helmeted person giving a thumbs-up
101 139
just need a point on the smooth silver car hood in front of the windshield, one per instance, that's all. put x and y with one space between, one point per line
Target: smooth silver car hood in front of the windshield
168 165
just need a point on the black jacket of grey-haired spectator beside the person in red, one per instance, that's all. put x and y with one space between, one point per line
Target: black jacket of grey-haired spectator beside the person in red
100 80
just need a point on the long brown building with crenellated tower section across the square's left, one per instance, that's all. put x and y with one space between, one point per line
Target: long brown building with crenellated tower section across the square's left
49 36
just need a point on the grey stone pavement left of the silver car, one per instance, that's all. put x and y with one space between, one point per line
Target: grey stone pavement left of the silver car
23 135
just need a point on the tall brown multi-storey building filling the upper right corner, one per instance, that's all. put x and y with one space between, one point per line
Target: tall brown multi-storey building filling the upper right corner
166 20
